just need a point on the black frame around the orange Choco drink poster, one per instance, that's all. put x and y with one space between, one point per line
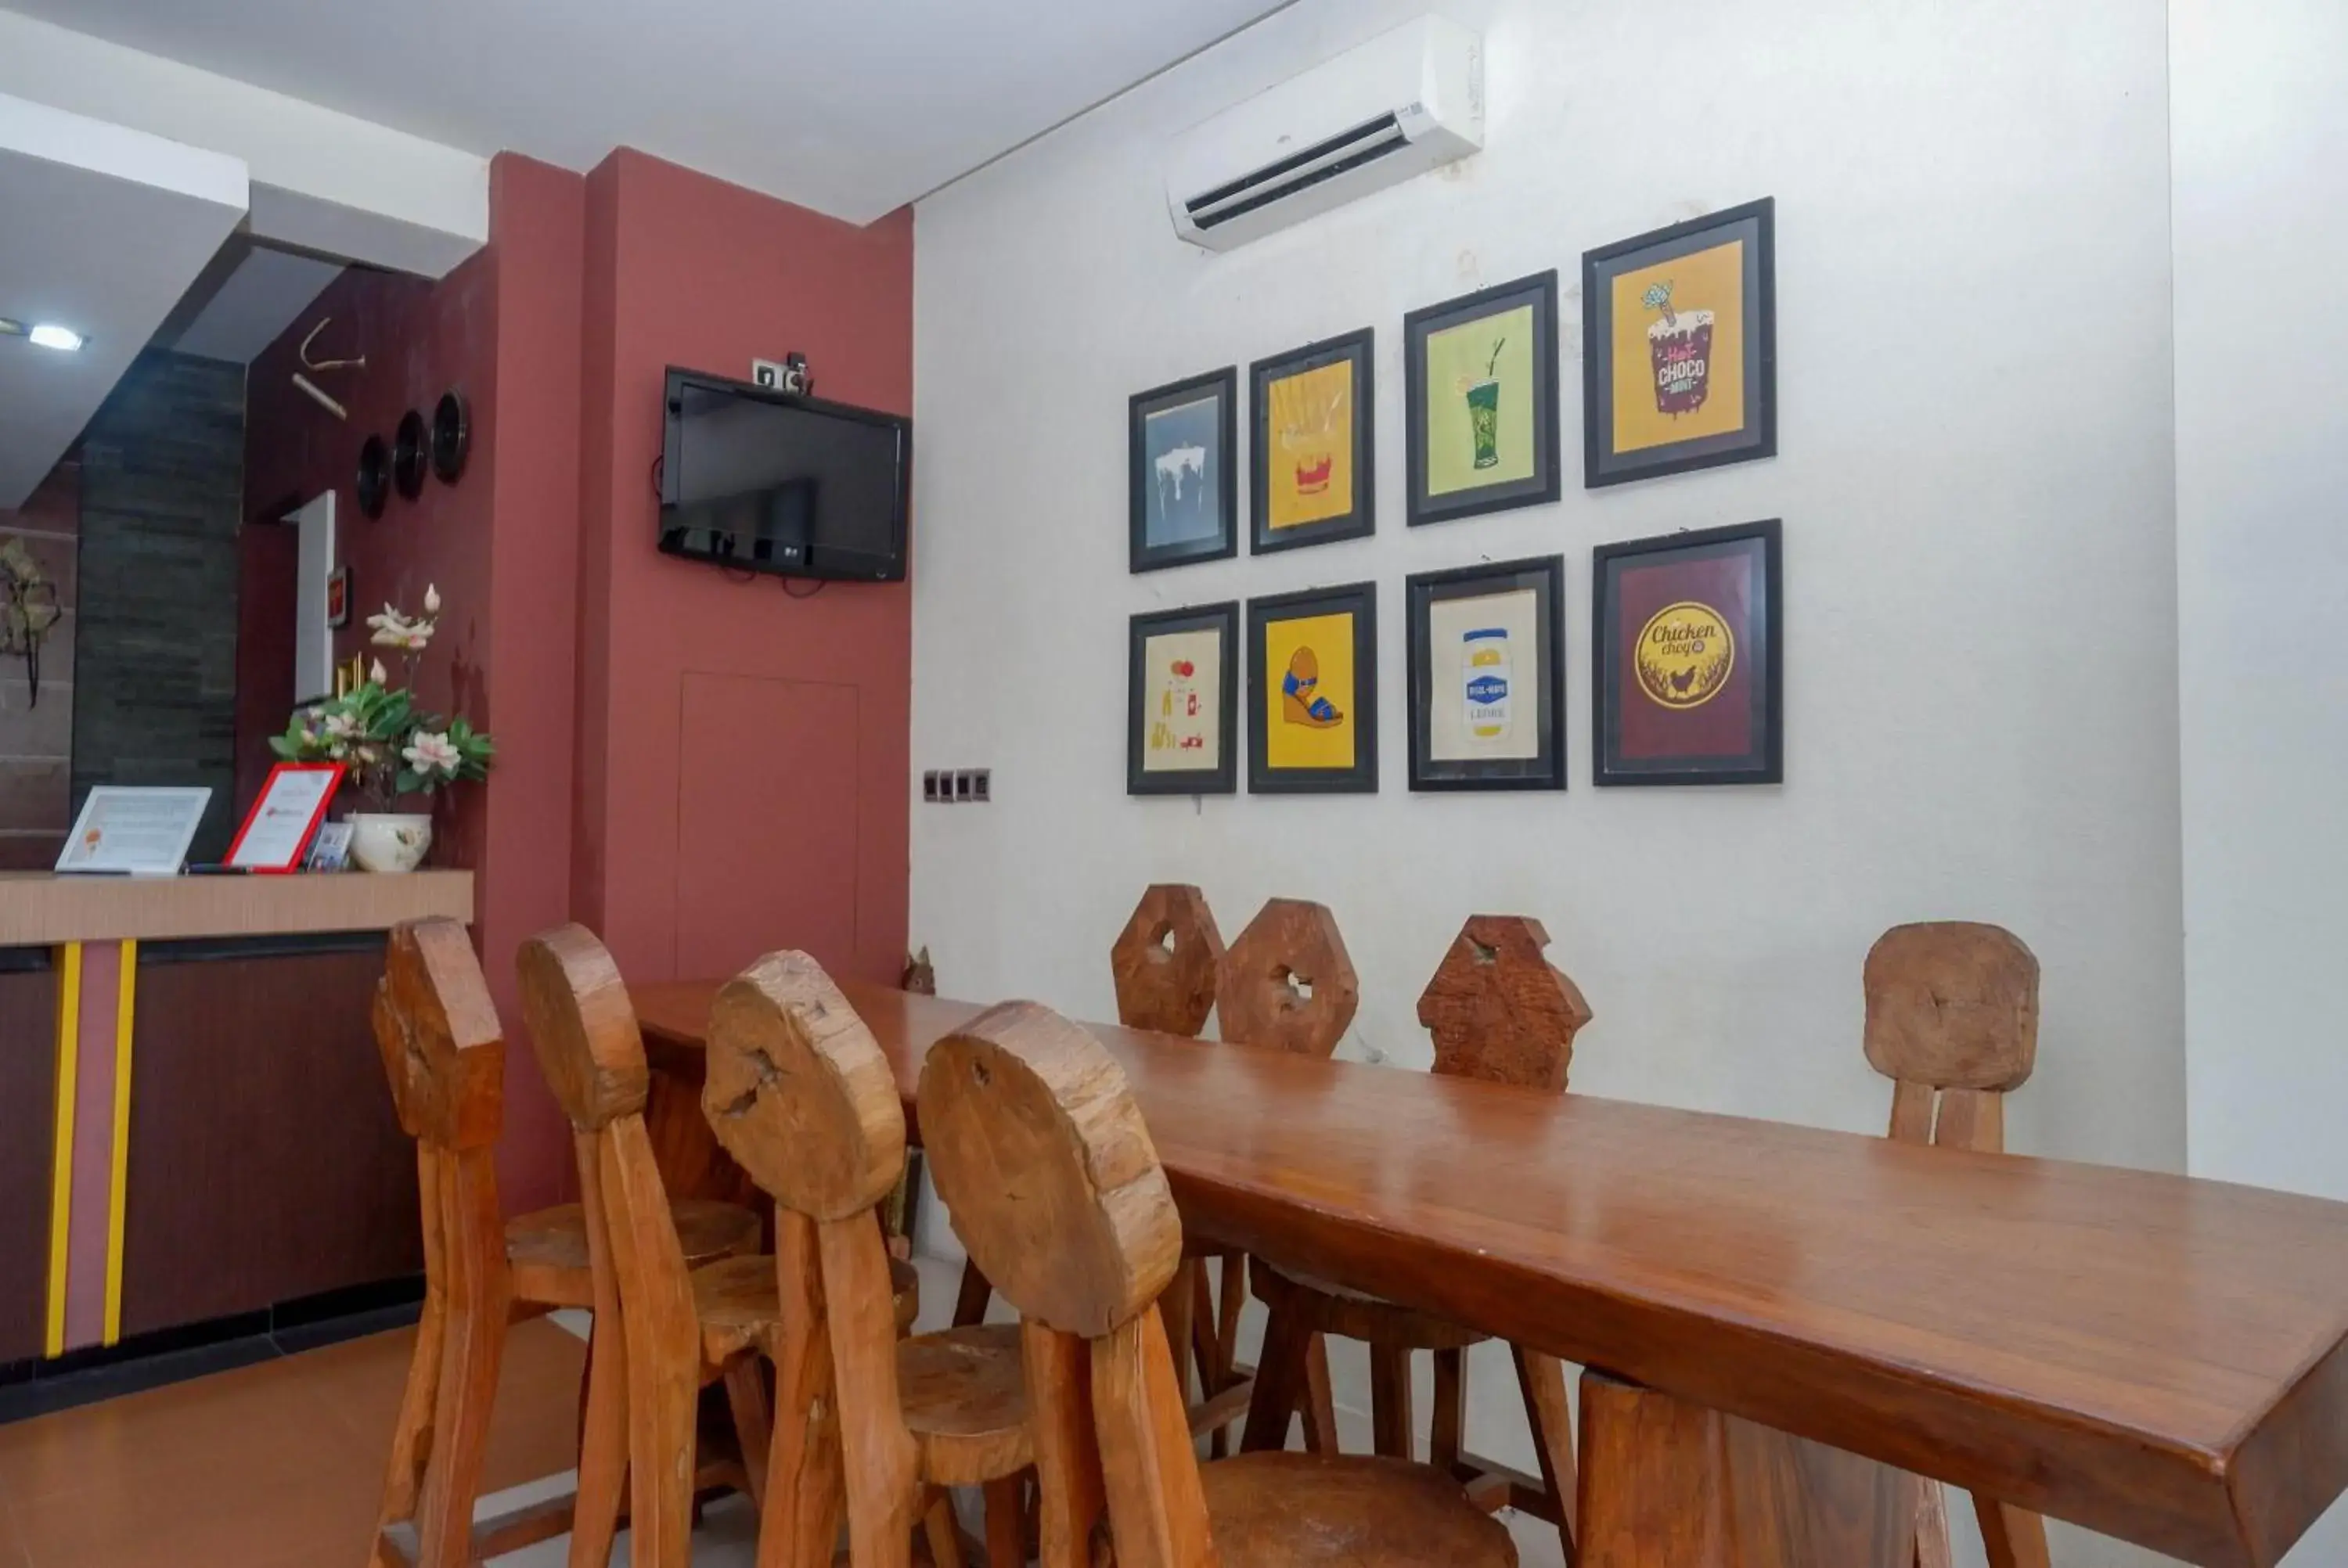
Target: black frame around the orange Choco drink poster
1753 222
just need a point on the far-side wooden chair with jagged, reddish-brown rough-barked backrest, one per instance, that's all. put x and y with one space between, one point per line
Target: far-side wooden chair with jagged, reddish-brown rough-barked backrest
1502 1013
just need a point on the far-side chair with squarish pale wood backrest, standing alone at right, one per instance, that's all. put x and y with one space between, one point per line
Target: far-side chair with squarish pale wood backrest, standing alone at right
1952 1020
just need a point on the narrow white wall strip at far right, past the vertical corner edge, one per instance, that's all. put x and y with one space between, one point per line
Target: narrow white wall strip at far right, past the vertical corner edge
2262 583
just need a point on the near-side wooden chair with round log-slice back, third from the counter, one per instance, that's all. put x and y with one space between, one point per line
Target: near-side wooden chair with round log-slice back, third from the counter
804 1100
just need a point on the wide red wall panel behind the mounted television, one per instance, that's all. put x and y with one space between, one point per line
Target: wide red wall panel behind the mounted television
743 755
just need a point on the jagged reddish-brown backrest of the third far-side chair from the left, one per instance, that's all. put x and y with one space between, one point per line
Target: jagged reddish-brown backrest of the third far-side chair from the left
1499 1011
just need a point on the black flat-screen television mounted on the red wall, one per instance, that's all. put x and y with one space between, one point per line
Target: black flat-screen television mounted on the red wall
785 485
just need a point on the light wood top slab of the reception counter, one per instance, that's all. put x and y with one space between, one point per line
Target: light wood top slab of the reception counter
46 910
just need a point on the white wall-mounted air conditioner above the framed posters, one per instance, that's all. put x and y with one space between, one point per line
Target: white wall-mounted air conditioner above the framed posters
1375 116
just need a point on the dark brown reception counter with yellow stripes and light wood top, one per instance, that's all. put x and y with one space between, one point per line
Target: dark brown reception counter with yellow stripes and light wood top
194 1121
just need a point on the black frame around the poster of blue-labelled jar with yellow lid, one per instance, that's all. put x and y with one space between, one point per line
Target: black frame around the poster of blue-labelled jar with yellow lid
1546 576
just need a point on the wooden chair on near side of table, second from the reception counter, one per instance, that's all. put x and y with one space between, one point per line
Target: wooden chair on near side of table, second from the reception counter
684 1287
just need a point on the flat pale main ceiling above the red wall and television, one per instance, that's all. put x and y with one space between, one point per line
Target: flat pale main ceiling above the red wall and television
849 107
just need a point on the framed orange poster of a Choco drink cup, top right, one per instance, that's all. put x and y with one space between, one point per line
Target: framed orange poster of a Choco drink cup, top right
1680 349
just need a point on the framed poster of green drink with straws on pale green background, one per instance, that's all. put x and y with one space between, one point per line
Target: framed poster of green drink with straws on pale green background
1480 403
